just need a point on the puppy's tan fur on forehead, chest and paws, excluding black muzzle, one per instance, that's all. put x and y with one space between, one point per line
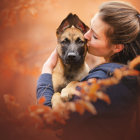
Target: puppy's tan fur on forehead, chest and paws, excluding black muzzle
62 71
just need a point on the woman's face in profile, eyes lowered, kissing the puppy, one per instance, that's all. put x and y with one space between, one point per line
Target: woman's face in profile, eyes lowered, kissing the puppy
98 43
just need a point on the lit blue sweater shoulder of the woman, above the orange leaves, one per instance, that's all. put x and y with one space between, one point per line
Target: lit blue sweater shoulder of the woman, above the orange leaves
103 71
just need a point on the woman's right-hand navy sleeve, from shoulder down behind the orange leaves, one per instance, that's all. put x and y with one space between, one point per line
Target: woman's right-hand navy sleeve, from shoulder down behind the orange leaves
122 95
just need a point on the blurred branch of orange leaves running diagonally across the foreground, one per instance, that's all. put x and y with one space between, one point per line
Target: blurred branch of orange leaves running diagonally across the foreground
39 118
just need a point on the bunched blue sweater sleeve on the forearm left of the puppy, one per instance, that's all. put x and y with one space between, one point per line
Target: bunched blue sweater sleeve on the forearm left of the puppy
45 88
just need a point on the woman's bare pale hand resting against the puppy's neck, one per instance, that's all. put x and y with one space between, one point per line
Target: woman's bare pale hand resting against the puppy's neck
50 64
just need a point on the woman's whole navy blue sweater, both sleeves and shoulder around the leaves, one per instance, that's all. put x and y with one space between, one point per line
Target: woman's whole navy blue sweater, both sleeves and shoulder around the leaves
121 94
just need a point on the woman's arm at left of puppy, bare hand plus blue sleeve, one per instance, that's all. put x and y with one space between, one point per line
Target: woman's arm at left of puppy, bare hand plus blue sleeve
44 83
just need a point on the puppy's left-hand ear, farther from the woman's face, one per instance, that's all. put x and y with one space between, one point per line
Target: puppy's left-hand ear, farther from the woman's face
66 23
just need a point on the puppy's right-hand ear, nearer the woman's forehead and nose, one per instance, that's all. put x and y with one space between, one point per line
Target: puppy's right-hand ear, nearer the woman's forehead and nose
80 25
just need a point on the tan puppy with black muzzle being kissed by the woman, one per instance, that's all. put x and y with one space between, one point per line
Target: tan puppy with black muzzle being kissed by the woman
72 49
